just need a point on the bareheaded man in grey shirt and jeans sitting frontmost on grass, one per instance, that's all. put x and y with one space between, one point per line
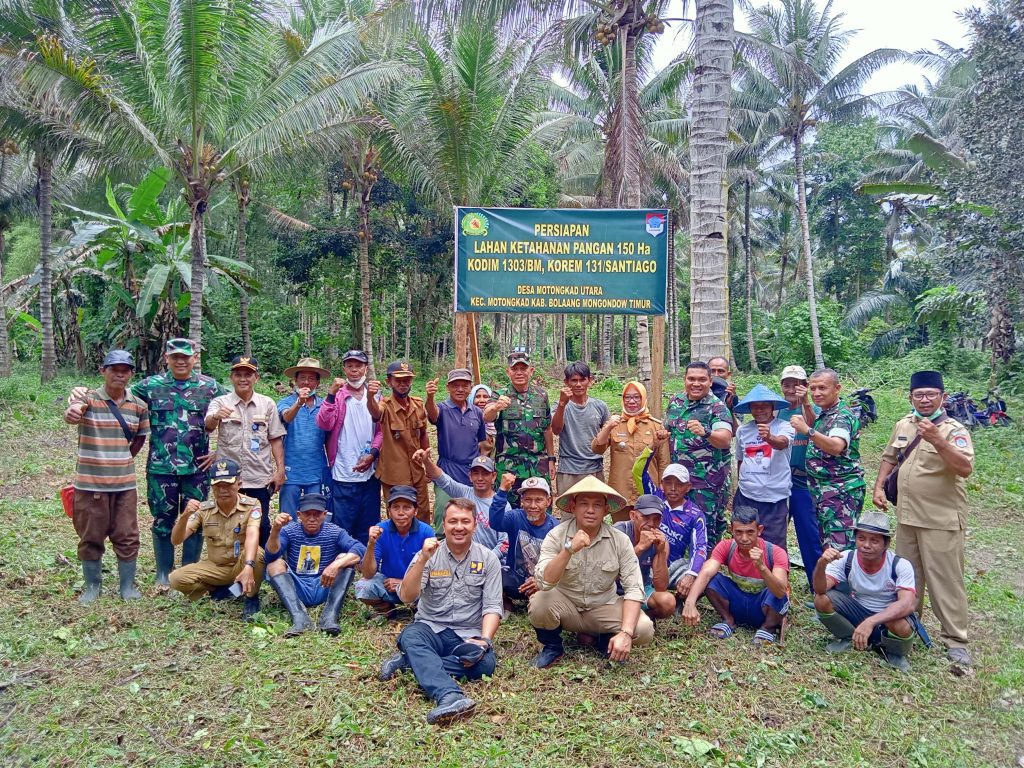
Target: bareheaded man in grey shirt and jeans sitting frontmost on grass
459 585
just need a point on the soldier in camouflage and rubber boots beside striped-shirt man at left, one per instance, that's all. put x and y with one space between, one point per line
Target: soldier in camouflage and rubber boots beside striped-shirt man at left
180 449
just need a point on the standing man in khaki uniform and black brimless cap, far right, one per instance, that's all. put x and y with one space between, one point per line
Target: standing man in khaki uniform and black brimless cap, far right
934 457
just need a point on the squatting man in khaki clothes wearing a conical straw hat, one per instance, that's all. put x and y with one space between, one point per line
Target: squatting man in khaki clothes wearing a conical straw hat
581 562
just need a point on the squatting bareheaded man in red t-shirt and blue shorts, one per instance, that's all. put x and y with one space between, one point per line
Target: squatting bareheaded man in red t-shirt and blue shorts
754 590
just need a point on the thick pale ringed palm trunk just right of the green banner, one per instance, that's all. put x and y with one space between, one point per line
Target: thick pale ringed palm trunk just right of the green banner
709 150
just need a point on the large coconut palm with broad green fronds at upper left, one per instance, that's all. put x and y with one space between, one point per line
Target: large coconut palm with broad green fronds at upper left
214 92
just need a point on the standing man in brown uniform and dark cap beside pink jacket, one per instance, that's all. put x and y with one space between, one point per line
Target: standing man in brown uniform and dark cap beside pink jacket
404 426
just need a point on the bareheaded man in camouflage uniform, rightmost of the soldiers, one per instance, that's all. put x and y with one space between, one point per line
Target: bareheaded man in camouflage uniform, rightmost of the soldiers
835 477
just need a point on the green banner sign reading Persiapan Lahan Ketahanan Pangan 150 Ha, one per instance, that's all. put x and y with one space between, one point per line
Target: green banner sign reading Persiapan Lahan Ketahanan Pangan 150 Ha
562 261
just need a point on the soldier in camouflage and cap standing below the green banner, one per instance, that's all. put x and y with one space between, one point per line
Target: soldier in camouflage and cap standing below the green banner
523 417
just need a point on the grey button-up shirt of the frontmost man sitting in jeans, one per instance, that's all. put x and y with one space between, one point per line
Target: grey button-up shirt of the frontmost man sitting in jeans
457 594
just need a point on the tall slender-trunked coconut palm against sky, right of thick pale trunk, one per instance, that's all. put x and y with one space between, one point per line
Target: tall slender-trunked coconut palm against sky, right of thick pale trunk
793 52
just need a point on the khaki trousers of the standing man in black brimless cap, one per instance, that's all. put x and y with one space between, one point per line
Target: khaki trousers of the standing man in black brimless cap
937 558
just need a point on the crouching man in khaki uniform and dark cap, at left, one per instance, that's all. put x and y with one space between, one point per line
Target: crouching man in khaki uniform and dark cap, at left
231 525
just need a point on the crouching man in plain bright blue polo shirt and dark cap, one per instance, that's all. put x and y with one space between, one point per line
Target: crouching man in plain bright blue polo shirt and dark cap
393 546
